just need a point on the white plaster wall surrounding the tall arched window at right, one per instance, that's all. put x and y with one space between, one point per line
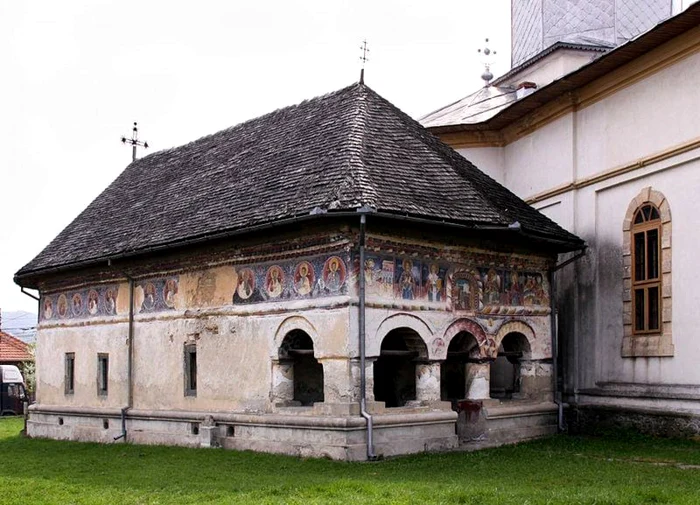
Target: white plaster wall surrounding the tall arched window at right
646 118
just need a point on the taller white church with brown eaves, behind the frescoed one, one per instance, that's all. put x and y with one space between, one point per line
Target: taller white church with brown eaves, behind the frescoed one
596 126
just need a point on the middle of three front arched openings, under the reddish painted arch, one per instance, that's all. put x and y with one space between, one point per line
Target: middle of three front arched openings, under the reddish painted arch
462 351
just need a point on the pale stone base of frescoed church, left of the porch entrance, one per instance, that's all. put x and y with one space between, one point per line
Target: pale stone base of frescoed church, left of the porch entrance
396 432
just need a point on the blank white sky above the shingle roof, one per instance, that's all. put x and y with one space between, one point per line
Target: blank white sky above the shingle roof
77 74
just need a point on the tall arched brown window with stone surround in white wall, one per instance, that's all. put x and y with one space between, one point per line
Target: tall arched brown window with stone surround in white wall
647 276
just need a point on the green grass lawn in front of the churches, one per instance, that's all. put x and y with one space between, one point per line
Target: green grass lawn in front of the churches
625 468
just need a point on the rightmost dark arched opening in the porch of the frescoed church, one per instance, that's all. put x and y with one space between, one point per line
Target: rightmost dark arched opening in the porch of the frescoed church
505 376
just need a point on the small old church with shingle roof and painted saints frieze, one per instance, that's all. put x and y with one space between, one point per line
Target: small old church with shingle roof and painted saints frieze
326 280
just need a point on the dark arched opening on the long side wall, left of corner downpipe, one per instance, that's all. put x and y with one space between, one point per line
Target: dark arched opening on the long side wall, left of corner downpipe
297 351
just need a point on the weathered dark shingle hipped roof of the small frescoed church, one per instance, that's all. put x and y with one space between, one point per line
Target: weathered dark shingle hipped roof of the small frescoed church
339 152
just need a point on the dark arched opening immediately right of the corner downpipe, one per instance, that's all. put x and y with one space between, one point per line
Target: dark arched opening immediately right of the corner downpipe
395 369
